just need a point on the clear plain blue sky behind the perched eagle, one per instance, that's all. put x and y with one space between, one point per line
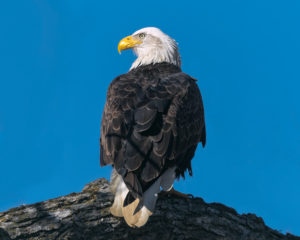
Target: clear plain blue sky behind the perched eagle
57 59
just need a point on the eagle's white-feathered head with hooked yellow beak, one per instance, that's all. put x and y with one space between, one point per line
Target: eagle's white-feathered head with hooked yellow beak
151 46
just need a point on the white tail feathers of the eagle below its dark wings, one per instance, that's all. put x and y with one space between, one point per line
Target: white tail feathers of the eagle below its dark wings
149 198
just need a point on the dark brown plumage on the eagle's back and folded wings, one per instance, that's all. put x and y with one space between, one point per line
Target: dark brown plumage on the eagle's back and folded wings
153 119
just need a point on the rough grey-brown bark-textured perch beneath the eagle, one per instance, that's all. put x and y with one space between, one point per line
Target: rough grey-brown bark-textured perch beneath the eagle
85 215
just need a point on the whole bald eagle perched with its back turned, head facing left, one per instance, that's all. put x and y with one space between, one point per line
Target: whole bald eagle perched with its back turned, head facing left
152 122
